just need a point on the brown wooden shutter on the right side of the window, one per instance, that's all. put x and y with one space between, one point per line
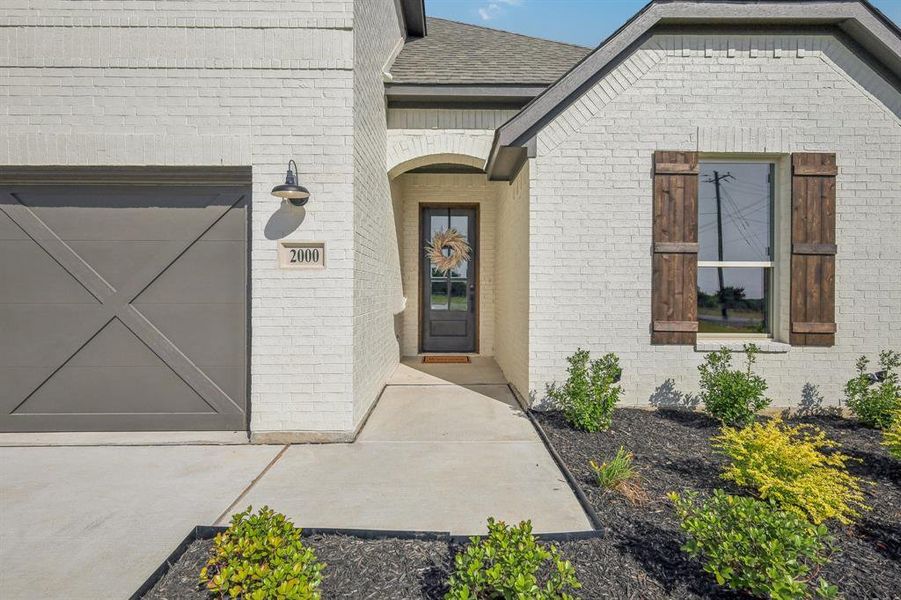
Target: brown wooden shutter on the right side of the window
813 250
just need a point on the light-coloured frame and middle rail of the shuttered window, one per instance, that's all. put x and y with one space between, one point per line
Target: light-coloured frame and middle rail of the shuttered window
773 266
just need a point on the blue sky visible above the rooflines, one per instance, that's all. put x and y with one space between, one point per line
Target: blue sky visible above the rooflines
581 22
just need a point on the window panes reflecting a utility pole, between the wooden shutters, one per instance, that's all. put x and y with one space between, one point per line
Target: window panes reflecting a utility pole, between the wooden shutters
735 260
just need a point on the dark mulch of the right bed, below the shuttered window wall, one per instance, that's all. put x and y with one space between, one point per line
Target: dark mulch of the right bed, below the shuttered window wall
640 556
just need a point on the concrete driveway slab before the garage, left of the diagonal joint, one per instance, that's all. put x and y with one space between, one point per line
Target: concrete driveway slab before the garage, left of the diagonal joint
94 522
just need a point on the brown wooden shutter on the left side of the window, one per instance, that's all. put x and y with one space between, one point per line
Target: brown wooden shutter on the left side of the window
674 282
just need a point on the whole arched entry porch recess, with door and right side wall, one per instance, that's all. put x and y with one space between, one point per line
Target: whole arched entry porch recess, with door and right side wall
478 305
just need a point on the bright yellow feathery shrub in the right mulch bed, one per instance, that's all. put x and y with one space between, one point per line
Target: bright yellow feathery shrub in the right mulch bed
788 465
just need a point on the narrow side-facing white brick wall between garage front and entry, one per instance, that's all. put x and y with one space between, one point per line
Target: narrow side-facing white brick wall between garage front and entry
377 284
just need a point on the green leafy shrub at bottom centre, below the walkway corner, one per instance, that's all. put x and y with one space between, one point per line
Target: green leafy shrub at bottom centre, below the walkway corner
506 565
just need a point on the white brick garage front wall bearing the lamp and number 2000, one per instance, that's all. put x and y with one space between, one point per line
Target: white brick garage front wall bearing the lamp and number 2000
245 83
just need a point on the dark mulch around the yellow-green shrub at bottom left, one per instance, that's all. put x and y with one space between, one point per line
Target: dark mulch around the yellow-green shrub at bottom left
356 568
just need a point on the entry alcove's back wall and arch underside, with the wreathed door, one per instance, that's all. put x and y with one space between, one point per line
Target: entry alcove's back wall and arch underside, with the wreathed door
449 309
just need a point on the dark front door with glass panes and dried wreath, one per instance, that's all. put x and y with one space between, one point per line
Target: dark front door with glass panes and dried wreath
449 251
